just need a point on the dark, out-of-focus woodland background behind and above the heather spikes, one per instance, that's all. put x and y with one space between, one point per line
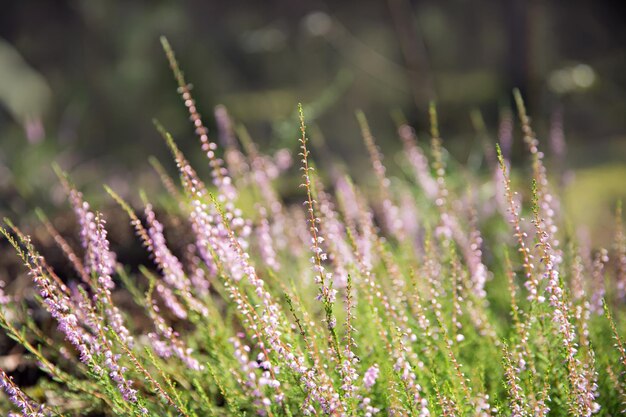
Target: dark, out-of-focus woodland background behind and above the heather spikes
81 81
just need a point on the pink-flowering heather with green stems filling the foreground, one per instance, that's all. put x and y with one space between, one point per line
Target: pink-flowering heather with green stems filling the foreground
434 293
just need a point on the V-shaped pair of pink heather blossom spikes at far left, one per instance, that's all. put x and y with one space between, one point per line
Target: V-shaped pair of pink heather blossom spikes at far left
89 336
